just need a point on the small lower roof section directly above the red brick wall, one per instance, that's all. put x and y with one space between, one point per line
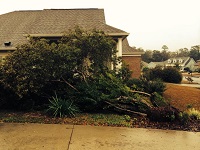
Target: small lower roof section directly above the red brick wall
128 50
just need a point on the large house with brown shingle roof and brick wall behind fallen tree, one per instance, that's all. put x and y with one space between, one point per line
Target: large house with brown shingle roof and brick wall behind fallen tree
15 27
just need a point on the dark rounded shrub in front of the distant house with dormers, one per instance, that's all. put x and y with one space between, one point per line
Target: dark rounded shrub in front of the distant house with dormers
171 75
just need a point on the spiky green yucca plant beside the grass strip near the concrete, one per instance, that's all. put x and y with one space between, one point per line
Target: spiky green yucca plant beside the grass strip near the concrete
59 107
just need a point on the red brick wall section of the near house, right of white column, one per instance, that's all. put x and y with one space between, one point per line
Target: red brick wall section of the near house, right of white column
134 63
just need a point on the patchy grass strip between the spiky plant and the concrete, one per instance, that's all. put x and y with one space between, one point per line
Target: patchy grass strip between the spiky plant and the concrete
97 119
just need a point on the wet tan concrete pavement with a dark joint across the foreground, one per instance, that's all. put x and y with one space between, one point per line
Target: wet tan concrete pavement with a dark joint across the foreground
69 137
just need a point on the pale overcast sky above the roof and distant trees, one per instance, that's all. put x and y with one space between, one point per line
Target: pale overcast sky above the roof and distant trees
150 23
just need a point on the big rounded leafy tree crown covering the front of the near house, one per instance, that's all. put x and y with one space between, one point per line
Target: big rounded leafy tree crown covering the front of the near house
37 66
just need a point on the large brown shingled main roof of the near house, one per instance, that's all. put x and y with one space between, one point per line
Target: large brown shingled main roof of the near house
15 25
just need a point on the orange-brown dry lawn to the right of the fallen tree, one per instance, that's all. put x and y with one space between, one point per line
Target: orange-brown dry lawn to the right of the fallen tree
182 96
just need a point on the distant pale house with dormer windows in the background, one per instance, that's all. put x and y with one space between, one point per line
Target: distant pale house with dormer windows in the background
180 62
